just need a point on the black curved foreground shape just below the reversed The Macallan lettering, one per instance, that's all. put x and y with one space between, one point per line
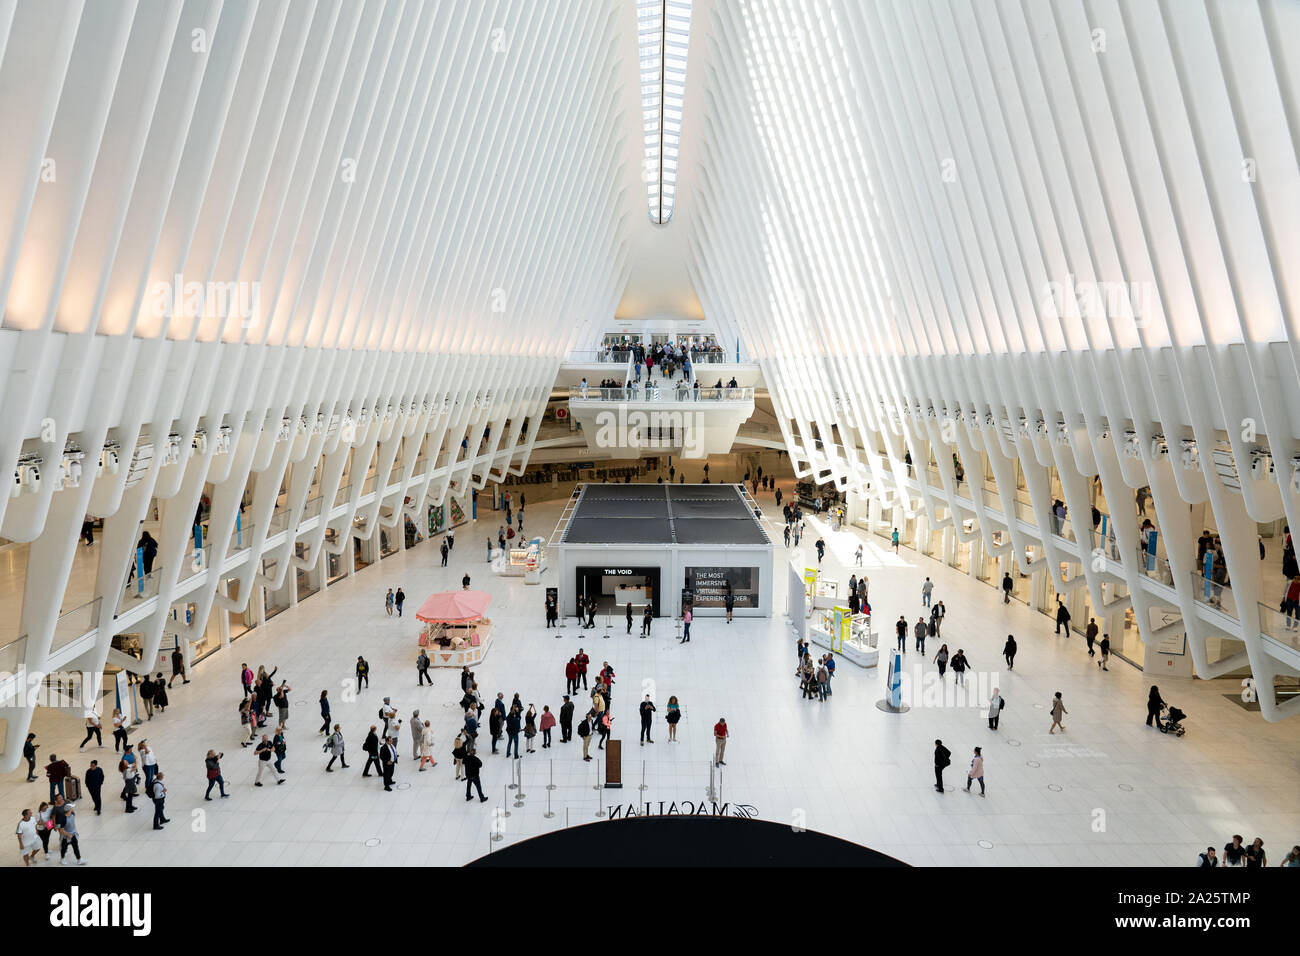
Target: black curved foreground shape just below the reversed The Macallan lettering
686 841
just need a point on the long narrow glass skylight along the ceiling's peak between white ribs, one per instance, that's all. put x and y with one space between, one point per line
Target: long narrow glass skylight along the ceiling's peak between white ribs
664 33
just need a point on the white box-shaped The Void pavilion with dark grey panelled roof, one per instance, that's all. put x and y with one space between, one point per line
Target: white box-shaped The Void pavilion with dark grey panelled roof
660 546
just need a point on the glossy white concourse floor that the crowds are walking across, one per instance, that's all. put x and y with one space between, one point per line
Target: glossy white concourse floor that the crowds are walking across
1108 793
